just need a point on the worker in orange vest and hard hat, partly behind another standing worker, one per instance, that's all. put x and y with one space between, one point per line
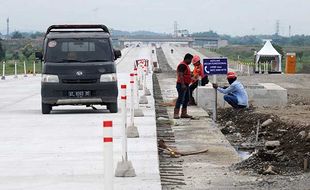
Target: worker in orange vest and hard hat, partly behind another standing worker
198 74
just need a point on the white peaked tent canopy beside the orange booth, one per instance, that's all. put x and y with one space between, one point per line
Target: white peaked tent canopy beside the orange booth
269 51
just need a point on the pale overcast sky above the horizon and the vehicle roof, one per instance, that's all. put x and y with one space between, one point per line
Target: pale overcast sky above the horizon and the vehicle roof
234 17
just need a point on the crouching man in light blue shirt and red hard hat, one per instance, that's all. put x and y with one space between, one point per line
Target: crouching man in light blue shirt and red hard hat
235 94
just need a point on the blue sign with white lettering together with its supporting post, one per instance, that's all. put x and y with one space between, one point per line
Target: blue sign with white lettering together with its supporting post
215 66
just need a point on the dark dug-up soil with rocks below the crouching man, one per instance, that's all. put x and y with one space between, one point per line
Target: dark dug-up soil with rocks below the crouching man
240 127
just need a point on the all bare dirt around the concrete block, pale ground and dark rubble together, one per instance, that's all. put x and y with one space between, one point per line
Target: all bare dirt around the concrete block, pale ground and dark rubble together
290 126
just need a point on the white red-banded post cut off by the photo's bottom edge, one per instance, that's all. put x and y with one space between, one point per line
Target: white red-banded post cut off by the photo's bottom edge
108 154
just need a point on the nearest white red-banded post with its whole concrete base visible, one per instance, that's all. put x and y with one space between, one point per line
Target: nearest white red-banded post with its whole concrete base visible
124 167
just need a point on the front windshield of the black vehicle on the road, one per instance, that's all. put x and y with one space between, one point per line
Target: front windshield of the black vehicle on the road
78 50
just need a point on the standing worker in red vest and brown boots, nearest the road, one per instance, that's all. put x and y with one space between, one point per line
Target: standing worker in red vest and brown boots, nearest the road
183 81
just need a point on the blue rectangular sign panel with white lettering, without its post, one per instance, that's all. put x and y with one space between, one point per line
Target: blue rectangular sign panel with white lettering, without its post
215 66
